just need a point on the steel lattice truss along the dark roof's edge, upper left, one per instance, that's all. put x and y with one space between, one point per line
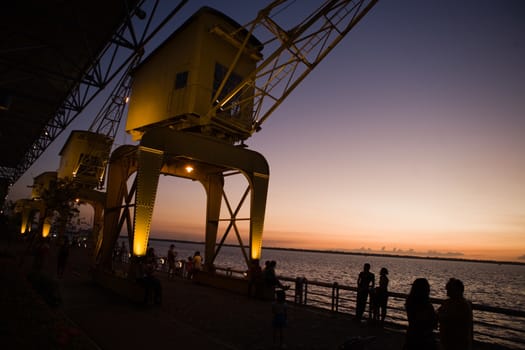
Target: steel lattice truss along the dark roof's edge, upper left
138 28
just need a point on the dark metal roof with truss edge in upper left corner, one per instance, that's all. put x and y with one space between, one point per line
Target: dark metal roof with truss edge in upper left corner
55 57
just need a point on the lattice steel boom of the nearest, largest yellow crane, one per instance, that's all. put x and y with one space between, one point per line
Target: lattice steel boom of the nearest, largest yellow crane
294 53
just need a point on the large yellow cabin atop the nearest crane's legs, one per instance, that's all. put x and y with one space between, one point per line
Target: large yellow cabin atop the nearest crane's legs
191 82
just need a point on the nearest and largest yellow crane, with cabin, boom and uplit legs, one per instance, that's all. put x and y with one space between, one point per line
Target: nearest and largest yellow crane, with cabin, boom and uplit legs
194 102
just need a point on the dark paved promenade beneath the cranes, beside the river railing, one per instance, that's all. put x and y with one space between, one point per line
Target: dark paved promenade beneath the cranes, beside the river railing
191 316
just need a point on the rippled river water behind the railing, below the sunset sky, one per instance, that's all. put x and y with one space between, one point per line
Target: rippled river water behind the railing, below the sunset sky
499 285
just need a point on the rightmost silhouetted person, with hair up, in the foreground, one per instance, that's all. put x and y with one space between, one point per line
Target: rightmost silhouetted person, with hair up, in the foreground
455 318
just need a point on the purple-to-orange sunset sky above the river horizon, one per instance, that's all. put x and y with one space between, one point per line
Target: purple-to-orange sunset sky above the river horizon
409 135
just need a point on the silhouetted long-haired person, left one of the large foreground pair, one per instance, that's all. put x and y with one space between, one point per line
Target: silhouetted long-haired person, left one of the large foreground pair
422 319
